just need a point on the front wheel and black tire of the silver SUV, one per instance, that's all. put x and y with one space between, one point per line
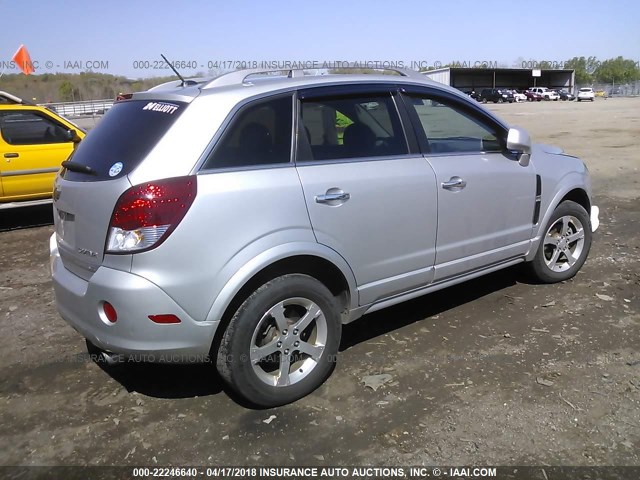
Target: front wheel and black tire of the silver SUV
558 245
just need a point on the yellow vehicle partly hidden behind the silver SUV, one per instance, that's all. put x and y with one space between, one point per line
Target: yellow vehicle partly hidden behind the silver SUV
34 141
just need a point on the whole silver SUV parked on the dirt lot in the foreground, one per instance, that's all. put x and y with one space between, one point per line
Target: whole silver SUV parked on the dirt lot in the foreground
245 219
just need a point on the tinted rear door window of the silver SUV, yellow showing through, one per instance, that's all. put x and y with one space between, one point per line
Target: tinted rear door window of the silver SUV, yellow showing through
350 127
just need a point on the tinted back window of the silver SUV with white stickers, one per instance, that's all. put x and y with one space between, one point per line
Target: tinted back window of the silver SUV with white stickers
124 137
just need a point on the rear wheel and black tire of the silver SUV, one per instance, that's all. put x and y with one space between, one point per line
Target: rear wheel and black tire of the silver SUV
258 383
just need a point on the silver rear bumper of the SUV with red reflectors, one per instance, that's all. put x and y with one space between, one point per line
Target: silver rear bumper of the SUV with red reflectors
80 303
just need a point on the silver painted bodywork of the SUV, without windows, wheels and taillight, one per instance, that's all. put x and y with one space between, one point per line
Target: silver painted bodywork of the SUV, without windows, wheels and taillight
399 234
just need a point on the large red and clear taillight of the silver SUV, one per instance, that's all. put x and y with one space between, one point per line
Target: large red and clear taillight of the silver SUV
145 215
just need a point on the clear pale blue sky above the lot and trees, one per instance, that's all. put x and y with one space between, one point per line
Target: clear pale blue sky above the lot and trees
126 37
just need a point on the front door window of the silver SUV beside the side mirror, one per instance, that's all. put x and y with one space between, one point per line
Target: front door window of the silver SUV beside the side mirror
448 128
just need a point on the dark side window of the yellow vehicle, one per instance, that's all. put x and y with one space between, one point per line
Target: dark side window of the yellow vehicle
30 128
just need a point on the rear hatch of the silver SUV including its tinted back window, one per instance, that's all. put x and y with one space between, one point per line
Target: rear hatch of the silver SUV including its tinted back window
87 189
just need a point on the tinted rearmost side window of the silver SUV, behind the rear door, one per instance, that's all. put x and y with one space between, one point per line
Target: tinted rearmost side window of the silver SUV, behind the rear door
259 134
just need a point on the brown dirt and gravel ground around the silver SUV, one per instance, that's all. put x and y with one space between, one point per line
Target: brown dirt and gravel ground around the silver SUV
495 371
